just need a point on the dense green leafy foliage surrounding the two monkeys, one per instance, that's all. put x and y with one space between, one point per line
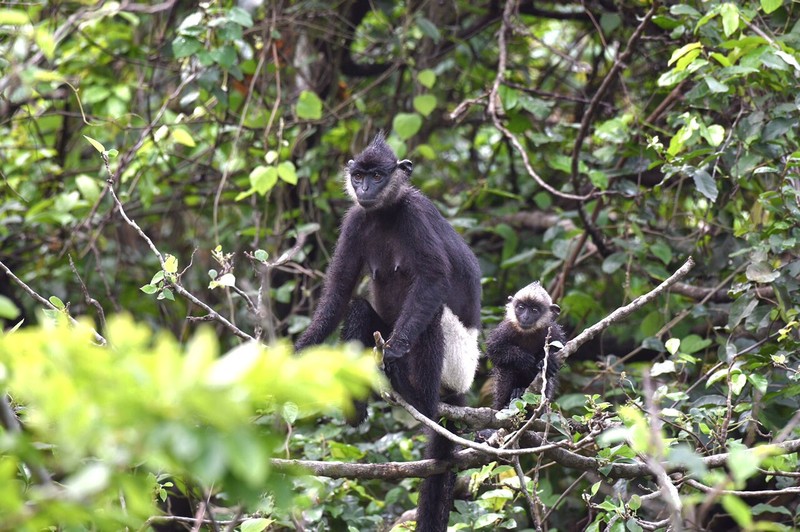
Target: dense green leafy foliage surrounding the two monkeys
182 164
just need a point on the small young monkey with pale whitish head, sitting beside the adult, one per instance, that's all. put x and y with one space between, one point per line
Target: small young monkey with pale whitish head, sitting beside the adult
516 346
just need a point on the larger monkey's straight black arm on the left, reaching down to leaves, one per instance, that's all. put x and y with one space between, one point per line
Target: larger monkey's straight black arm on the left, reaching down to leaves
340 281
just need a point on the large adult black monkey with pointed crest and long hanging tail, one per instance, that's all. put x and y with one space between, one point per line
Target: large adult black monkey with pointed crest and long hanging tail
424 296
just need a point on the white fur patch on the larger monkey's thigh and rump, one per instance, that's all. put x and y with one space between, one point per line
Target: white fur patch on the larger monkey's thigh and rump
461 353
